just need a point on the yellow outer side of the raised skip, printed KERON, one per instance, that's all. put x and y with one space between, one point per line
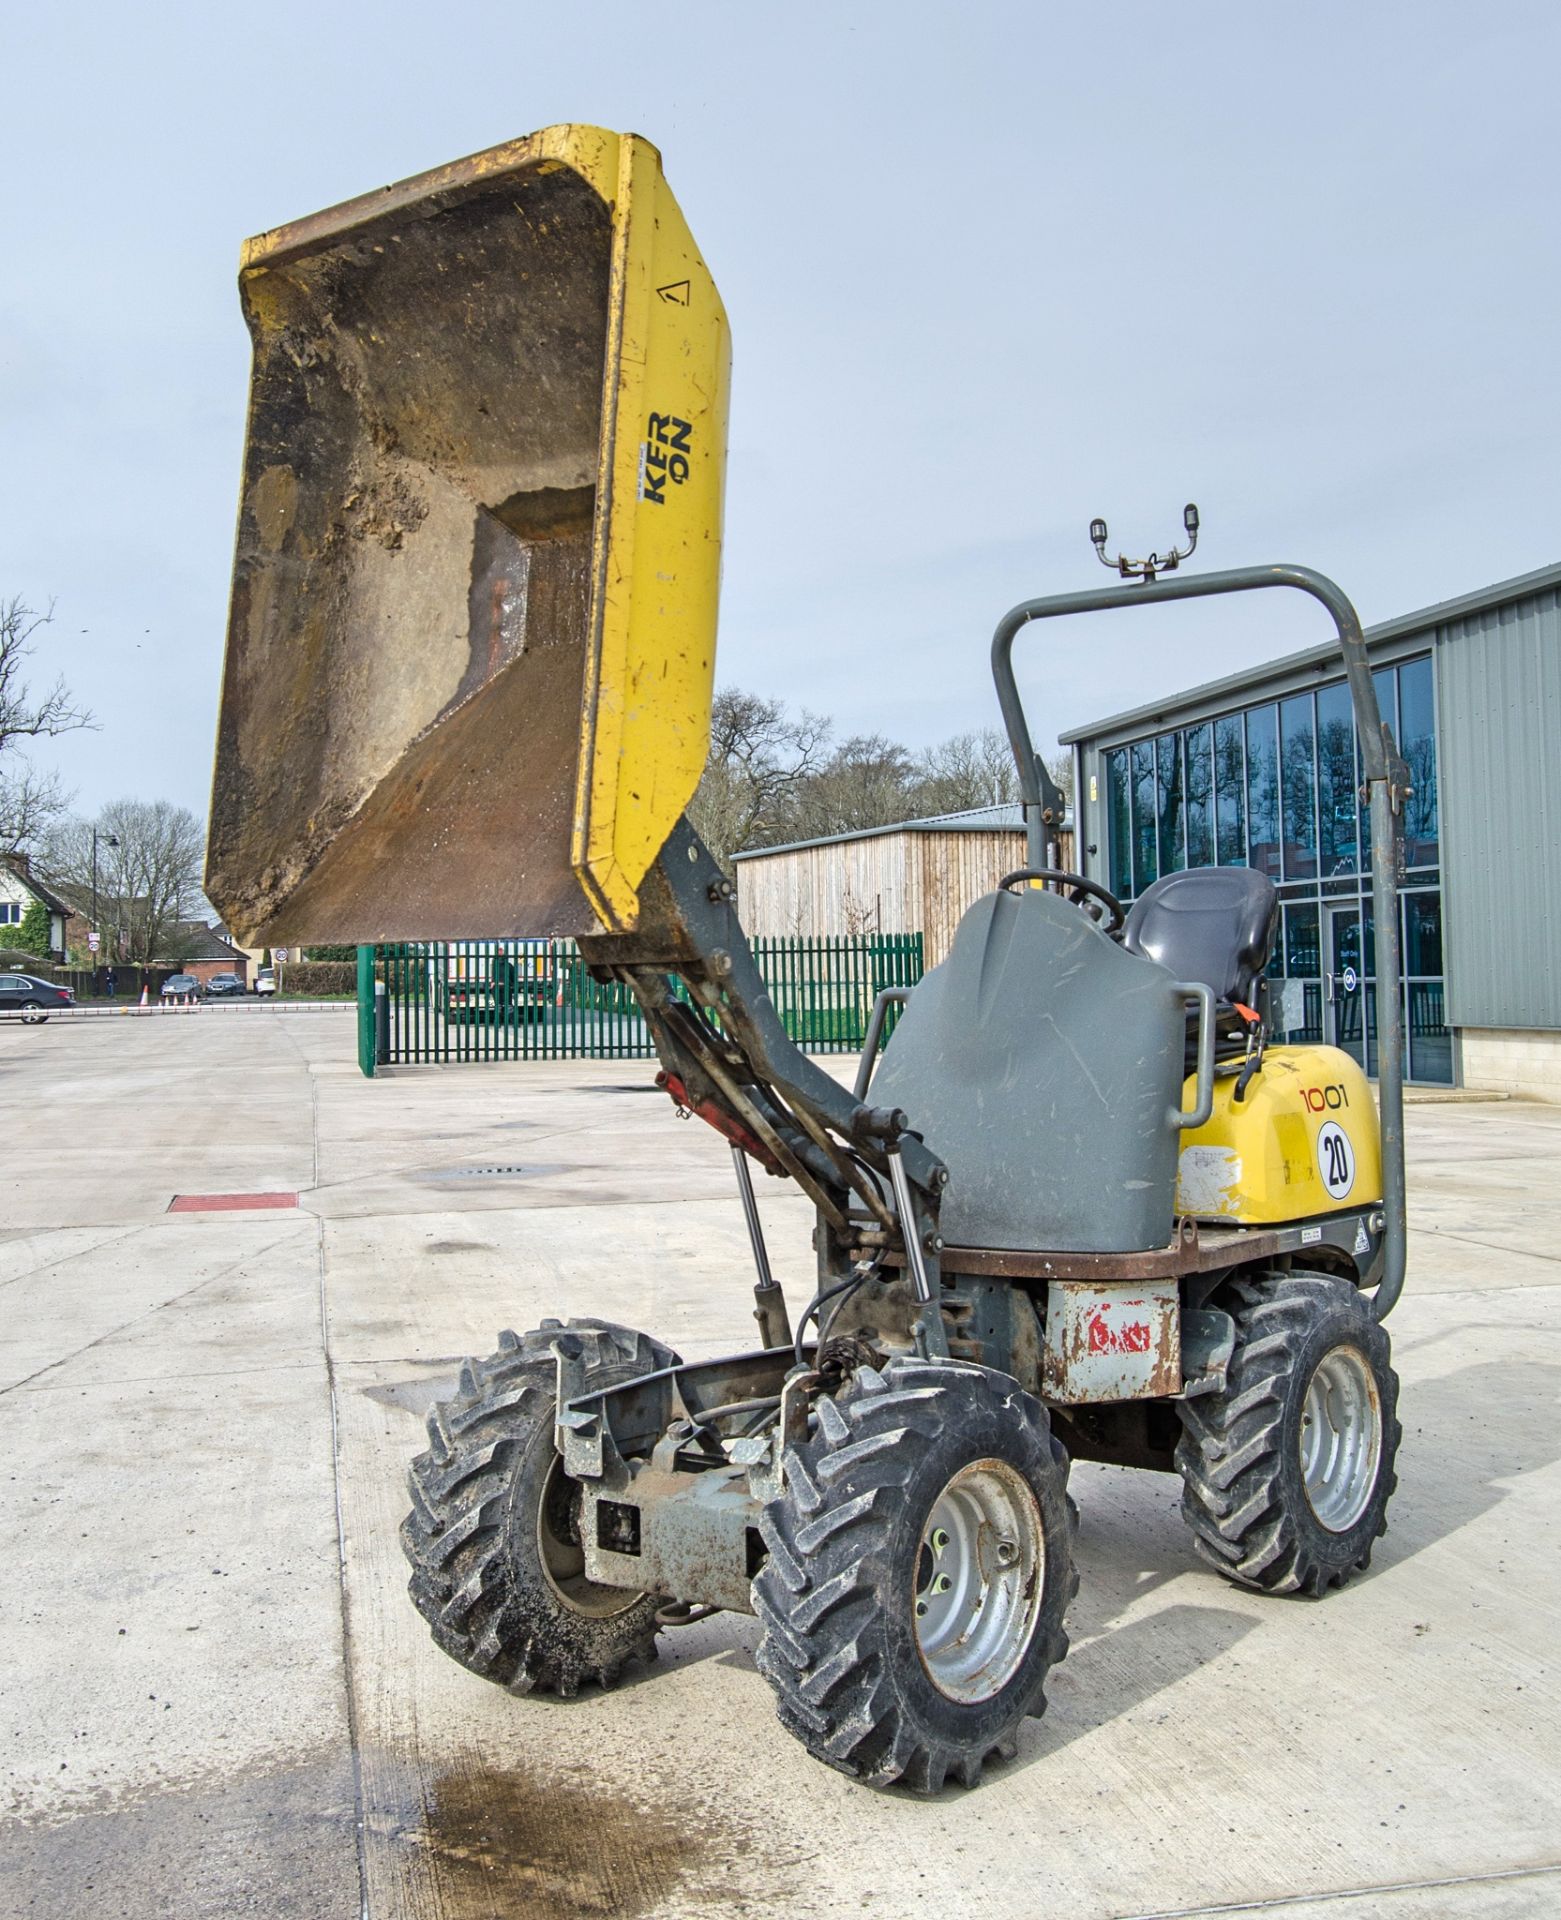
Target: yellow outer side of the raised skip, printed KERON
646 715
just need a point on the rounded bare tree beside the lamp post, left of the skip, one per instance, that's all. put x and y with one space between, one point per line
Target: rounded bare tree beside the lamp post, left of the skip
149 875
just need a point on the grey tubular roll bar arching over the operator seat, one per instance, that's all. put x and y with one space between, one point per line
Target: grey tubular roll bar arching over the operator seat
1387 780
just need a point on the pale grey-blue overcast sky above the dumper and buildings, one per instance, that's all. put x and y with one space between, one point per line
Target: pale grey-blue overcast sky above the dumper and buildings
992 270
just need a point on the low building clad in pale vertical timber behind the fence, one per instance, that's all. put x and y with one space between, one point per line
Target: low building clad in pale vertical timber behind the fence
915 876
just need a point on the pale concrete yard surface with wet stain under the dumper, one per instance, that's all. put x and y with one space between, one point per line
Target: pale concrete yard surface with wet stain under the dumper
218 1698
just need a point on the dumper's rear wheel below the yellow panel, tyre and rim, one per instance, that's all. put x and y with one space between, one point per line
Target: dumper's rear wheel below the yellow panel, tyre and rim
1287 1474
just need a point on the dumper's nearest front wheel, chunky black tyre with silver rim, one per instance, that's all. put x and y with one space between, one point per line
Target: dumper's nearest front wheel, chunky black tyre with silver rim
921 1562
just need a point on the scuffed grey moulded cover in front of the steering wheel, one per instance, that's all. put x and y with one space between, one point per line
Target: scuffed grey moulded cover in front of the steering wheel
1044 1065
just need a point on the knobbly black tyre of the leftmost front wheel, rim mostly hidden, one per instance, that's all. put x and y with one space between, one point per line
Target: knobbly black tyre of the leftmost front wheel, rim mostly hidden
492 1535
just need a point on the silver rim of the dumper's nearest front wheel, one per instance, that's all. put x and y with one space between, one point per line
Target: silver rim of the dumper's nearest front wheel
980 1579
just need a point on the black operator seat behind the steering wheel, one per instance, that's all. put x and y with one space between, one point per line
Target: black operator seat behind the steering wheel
1211 924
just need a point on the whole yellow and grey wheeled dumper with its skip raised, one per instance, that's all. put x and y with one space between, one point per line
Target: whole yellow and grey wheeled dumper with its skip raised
1084 1209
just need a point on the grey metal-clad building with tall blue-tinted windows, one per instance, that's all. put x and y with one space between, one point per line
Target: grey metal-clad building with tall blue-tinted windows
1262 771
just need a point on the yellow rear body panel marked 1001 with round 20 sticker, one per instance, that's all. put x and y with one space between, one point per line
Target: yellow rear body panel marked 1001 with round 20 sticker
1303 1141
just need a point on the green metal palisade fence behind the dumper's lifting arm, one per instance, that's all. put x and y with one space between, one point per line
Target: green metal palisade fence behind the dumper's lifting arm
450 1001
